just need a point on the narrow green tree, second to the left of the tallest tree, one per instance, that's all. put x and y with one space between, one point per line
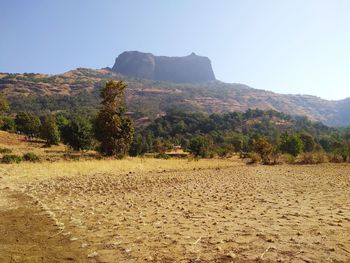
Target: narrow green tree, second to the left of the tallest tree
50 131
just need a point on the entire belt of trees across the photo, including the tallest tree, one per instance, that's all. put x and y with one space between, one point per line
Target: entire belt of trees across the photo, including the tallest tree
111 132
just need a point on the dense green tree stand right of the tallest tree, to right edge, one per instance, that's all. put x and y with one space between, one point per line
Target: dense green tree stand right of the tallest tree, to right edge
268 133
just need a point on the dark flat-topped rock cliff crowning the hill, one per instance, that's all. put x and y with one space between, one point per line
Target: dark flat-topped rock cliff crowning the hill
188 69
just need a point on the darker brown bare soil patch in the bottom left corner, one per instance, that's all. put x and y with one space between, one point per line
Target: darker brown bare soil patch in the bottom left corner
27 234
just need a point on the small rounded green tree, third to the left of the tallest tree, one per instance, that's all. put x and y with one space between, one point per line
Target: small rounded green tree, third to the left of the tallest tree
28 124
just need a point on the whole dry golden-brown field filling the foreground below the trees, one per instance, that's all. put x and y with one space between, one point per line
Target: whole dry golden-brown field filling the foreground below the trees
174 211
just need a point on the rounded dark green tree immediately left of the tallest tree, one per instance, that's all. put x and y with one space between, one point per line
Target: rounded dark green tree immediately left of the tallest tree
78 134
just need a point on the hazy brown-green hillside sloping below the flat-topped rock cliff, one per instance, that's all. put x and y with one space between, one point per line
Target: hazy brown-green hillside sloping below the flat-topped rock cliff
149 98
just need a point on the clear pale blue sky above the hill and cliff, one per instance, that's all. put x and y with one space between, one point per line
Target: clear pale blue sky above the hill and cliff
287 46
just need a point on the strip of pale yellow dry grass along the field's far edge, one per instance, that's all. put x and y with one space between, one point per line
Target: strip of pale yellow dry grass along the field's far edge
45 170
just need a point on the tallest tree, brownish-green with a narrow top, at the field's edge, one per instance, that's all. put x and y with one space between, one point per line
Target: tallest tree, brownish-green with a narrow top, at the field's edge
113 129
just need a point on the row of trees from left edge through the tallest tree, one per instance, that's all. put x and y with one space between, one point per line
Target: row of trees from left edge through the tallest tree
110 132
